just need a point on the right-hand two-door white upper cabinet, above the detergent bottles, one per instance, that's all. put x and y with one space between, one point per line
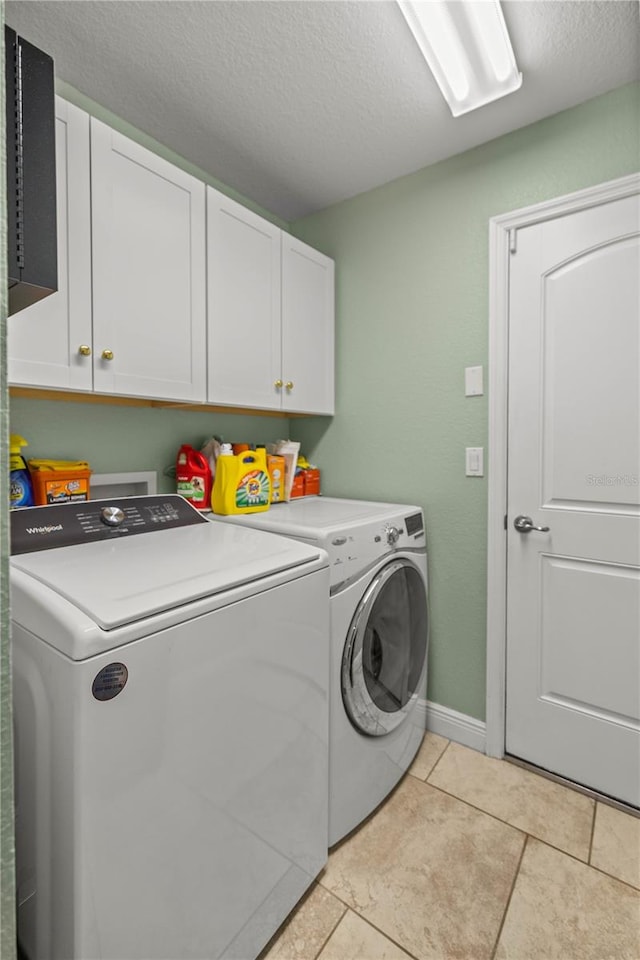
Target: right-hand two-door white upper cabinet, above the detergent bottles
270 314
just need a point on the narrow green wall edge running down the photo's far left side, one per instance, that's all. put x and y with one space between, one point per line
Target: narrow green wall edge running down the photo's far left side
7 869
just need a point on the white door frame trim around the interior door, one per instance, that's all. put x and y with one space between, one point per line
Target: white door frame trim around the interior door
502 241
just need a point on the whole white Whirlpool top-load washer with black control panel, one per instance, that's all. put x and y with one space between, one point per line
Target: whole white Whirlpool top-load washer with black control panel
171 721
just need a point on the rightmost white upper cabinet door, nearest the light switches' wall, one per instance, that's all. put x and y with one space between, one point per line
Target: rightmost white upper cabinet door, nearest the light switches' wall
307 328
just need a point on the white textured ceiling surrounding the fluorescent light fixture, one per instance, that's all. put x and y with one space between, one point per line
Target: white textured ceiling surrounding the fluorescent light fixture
299 104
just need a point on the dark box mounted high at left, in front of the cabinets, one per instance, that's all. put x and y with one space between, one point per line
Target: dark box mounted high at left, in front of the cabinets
31 173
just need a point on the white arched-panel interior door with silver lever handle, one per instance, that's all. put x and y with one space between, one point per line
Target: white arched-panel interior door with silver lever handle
573 591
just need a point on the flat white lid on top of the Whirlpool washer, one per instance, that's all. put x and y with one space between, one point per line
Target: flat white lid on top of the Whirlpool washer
117 582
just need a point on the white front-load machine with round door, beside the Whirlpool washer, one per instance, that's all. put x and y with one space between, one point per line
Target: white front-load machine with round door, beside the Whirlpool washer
379 635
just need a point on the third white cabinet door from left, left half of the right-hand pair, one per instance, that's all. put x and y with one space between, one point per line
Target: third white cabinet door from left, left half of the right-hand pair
243 272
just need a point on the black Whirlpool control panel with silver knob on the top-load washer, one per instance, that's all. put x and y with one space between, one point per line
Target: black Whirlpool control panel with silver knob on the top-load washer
67 524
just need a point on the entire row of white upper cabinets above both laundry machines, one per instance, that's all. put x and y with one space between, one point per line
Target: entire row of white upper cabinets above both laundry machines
153 303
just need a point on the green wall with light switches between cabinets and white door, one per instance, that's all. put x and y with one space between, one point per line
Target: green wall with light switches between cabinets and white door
412 311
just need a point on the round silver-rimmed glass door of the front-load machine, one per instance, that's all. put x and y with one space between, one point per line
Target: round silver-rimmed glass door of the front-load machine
384 658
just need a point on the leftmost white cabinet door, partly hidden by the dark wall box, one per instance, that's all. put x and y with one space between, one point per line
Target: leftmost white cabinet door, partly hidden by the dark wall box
44 340
